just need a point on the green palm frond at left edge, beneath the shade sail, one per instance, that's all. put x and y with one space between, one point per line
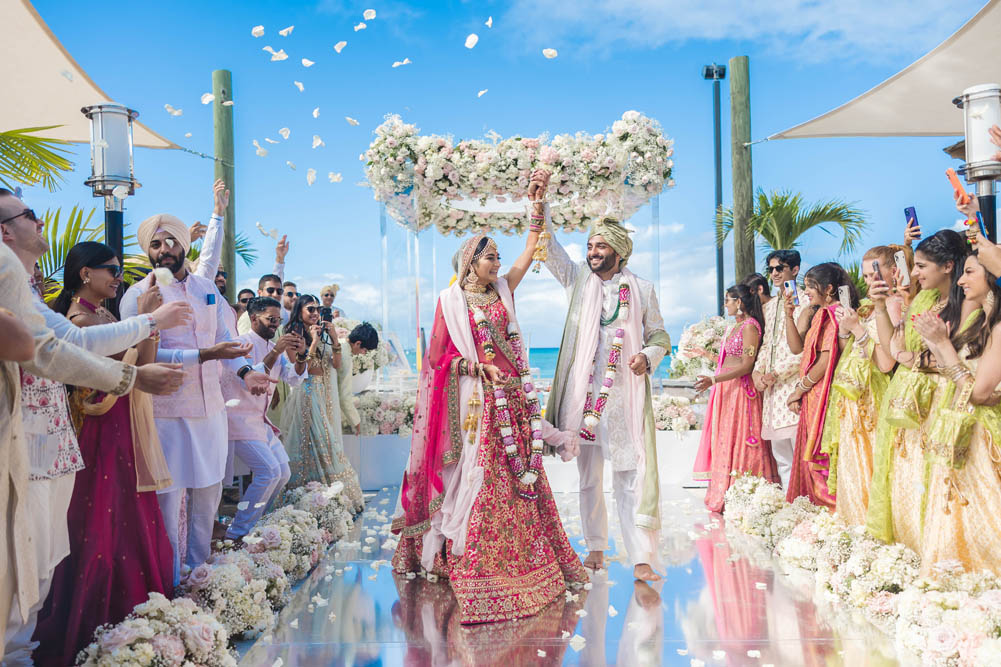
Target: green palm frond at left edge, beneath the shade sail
33 161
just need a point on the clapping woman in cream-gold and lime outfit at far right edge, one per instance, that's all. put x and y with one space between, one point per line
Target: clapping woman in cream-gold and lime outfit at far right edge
962 518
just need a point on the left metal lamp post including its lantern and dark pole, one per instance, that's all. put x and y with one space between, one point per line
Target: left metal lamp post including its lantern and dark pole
112 168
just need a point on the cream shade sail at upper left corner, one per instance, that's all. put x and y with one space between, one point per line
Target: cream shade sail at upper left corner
45 86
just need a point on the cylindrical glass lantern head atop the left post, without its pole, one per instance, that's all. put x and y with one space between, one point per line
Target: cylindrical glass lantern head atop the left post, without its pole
111 150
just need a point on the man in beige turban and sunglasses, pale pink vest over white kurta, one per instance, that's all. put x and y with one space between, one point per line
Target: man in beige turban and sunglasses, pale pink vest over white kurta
193 422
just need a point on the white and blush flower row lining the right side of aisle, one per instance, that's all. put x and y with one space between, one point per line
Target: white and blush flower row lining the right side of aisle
949 619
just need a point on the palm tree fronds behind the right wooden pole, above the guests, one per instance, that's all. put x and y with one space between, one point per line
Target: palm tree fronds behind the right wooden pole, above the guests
781 219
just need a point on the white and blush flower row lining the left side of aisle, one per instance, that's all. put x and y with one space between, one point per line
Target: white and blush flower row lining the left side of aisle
236 593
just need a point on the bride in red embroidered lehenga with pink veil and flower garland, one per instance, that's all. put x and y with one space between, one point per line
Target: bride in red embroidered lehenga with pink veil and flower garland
477 506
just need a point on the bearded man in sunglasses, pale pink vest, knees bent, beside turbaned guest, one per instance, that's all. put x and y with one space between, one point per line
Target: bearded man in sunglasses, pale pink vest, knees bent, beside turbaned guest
253 437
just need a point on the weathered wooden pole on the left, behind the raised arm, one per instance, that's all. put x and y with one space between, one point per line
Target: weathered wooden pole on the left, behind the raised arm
223 127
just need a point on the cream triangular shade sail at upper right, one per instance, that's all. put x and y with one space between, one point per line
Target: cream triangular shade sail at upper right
917 102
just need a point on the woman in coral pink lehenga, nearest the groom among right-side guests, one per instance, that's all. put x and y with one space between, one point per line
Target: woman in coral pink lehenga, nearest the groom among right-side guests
731 439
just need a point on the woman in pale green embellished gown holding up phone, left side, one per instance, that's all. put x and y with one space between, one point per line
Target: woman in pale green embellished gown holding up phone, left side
311 421
